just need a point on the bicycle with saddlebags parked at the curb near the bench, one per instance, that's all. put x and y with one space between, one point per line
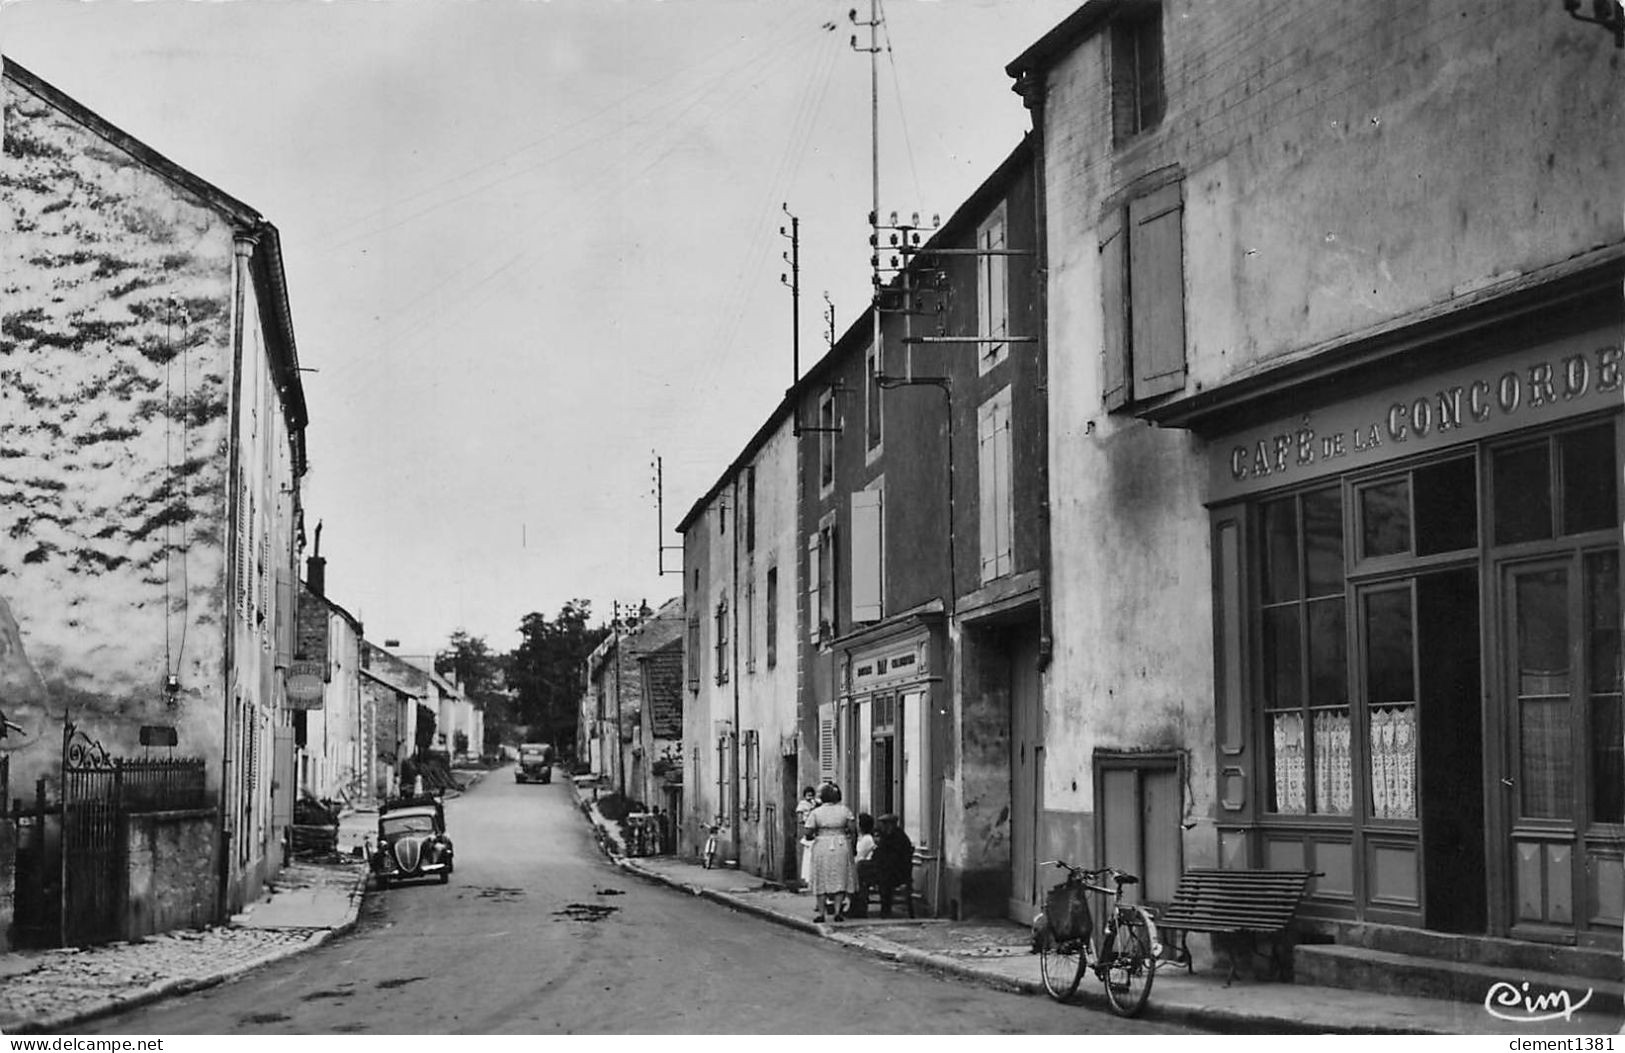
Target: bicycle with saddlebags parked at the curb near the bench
1127 960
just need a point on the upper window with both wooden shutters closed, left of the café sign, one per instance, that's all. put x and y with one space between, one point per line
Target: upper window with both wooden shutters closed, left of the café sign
1143 298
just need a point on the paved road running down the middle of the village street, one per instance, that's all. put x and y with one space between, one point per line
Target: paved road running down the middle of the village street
539 934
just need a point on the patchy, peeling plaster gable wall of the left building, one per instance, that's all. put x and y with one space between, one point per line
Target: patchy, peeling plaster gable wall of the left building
116 381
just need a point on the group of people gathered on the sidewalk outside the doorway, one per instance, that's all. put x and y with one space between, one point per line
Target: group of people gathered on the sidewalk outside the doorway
846 857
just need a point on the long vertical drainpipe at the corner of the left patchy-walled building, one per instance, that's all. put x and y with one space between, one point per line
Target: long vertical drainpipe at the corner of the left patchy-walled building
243 254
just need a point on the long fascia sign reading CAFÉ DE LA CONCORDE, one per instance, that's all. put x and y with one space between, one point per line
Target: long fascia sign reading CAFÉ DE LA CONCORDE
1488 399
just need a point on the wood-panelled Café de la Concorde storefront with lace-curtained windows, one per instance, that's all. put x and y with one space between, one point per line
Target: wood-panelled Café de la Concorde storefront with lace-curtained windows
1418 630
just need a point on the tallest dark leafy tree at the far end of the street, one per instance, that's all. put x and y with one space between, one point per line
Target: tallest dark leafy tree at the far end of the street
547 670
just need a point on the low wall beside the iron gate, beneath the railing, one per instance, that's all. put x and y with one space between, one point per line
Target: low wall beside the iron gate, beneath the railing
171 872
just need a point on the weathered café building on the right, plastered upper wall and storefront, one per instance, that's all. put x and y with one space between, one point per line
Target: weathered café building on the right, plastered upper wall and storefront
1335 449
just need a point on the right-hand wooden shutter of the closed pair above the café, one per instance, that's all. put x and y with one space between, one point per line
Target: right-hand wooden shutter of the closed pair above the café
1158 292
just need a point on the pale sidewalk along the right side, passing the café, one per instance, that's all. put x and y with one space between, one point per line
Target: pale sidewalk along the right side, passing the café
999 955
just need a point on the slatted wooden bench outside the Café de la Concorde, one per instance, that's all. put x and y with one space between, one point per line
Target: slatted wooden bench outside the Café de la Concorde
1234 903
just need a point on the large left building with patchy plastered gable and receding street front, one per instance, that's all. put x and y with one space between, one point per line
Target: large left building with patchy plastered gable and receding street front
154 435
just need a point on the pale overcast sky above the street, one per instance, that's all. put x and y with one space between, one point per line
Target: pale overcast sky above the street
532 246
